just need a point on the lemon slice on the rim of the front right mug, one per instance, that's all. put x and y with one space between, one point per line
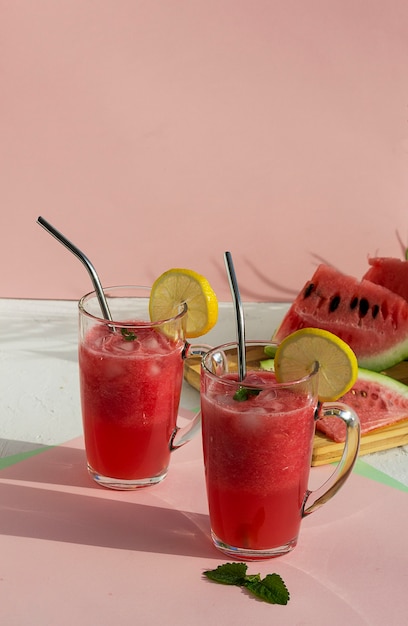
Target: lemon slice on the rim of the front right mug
338 367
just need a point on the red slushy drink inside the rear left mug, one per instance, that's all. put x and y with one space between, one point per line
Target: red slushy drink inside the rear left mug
130 393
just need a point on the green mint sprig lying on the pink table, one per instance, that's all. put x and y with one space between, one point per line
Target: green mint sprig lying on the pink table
270 589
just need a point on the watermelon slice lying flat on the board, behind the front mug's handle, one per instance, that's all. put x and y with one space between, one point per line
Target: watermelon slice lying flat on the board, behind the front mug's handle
378 401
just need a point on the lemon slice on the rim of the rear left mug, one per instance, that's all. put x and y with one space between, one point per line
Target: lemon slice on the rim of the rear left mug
178 286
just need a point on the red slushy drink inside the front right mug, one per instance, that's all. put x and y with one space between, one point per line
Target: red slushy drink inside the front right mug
257 455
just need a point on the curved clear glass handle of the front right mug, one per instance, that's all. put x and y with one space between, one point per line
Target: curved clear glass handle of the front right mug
316 498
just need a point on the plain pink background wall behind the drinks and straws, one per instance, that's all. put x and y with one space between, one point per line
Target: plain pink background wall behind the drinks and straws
161 133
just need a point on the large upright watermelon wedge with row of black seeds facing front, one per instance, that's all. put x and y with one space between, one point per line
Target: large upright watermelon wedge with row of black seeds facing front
370 318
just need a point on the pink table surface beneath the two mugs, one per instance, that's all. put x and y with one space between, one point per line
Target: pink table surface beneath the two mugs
74 553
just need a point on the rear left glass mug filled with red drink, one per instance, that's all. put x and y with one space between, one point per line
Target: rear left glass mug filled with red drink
131 373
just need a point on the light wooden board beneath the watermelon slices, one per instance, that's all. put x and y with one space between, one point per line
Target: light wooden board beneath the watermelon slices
325 450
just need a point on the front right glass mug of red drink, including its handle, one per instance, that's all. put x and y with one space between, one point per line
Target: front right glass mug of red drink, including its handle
257 445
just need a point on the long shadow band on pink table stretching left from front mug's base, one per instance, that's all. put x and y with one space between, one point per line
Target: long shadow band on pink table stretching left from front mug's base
75 518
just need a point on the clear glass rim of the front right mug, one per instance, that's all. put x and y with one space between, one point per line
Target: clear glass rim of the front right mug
237 383
